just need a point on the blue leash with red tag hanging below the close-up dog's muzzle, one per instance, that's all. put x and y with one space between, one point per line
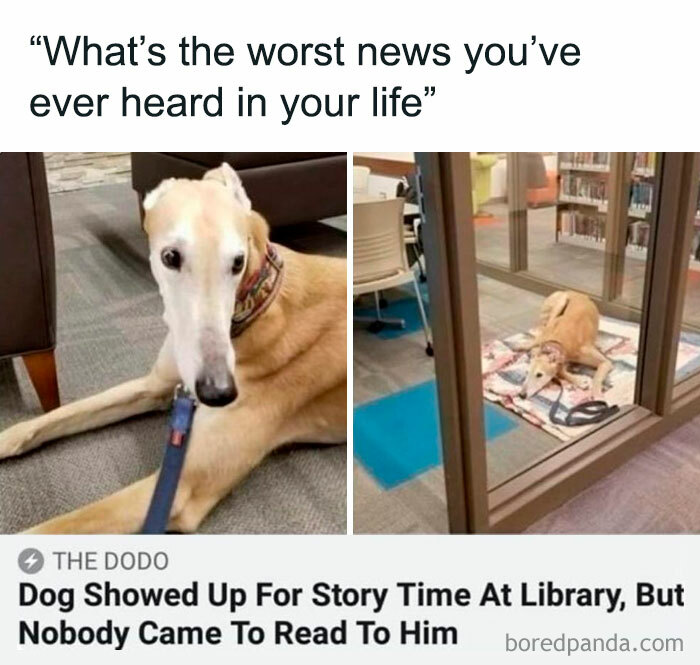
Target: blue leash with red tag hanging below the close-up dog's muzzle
162 500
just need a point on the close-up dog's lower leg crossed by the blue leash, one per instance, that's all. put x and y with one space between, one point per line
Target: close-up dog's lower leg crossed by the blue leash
225 445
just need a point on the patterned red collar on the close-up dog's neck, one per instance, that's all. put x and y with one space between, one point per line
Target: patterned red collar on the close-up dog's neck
257 293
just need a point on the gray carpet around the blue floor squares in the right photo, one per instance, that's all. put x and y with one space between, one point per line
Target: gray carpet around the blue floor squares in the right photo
386 366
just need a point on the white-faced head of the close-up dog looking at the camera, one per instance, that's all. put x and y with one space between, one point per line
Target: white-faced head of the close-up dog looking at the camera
205 240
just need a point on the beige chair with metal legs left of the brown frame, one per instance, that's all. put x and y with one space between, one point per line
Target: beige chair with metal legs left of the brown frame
379 259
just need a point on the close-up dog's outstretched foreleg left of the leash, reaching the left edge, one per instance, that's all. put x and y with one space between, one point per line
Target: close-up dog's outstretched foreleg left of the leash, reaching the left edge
148 393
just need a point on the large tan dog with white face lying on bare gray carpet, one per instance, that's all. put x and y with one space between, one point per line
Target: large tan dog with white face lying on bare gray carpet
256 331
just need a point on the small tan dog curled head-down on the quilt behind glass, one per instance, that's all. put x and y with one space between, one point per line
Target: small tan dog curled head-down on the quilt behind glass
567 334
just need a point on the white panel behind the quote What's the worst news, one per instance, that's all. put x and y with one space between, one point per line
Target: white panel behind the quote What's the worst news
634 87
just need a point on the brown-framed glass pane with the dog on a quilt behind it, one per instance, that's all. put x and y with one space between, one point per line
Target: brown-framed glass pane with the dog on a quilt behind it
575 302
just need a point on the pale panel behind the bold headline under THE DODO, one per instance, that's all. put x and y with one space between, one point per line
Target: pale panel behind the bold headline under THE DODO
381 561
